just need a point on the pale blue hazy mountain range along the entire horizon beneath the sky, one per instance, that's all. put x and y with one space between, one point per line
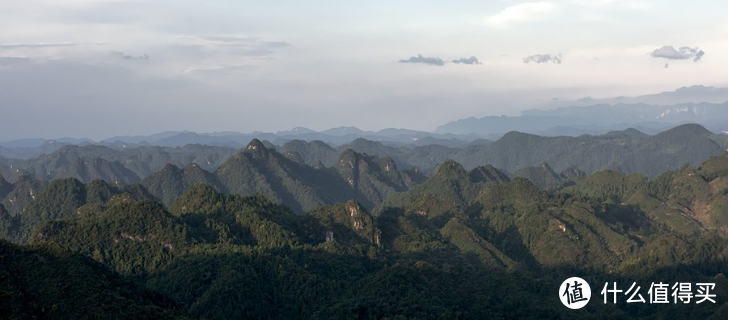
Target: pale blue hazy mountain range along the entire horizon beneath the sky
650 114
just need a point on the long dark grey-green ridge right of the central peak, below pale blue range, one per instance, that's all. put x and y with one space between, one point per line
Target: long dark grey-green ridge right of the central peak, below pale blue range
629 151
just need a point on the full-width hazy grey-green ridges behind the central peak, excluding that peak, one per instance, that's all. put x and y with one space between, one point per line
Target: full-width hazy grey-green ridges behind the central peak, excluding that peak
628 151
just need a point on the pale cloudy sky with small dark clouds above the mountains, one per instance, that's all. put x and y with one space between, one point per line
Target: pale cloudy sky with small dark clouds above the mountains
101 68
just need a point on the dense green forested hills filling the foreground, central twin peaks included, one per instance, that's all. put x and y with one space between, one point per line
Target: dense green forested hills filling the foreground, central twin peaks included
267 237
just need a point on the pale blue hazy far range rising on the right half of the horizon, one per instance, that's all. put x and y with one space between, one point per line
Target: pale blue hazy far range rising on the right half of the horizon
650 113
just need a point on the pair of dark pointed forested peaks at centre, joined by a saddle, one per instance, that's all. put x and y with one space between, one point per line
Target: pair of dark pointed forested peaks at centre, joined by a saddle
261 170
